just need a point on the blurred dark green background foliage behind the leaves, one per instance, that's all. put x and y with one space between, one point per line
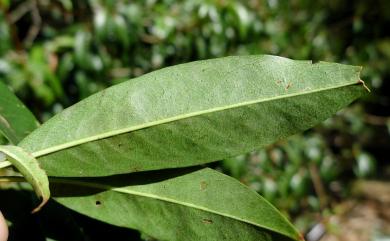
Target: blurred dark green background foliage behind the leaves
55 53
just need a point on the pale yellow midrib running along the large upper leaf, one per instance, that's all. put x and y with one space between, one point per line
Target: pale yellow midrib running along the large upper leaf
175 118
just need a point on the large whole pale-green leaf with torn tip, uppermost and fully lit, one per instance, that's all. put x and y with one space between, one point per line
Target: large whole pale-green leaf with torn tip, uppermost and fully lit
191 114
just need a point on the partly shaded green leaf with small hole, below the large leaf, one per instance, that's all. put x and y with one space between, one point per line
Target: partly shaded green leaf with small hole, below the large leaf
177 205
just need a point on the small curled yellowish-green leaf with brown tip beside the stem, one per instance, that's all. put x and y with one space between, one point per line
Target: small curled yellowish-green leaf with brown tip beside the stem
28 166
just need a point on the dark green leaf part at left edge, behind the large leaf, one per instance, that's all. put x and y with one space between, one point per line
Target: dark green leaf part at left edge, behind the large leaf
16 121
